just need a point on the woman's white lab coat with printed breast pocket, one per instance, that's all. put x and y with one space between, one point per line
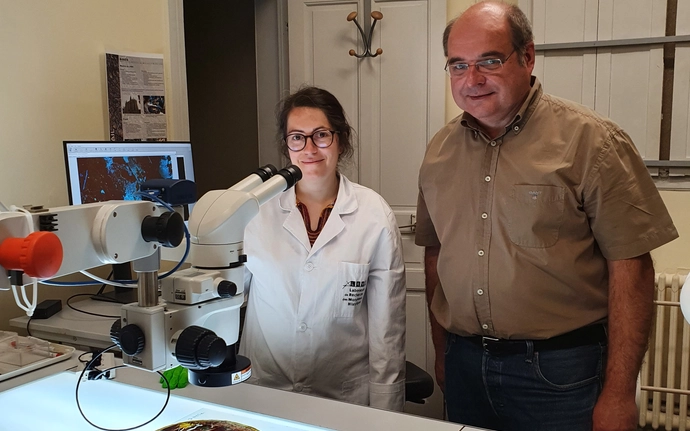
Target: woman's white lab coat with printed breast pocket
329 319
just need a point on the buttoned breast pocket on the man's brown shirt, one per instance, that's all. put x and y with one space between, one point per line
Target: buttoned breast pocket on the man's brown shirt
535 215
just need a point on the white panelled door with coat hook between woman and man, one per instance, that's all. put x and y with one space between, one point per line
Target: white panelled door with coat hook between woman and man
395 103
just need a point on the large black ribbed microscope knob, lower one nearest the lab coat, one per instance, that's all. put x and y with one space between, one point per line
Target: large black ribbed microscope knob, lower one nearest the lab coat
200 348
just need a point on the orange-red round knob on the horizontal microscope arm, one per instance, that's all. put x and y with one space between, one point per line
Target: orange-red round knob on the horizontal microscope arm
38 255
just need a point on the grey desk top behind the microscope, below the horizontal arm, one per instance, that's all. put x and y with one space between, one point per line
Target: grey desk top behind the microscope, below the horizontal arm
75 328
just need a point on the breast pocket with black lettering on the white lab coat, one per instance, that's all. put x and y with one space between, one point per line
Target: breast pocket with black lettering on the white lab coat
351 288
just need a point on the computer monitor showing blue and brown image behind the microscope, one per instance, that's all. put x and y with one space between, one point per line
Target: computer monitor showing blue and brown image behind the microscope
99 171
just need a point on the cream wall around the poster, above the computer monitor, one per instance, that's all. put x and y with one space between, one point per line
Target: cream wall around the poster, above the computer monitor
52 88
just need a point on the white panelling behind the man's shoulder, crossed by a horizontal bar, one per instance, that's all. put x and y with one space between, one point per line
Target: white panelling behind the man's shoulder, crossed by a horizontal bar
621 82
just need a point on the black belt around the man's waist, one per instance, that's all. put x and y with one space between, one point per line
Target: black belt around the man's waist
588 335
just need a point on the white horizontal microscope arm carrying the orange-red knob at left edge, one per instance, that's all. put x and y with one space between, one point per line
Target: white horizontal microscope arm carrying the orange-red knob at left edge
88 235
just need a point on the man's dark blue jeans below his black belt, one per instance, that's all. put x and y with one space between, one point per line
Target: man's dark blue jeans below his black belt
532 391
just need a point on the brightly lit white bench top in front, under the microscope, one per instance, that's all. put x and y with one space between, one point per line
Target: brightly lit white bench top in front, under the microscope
136 395
